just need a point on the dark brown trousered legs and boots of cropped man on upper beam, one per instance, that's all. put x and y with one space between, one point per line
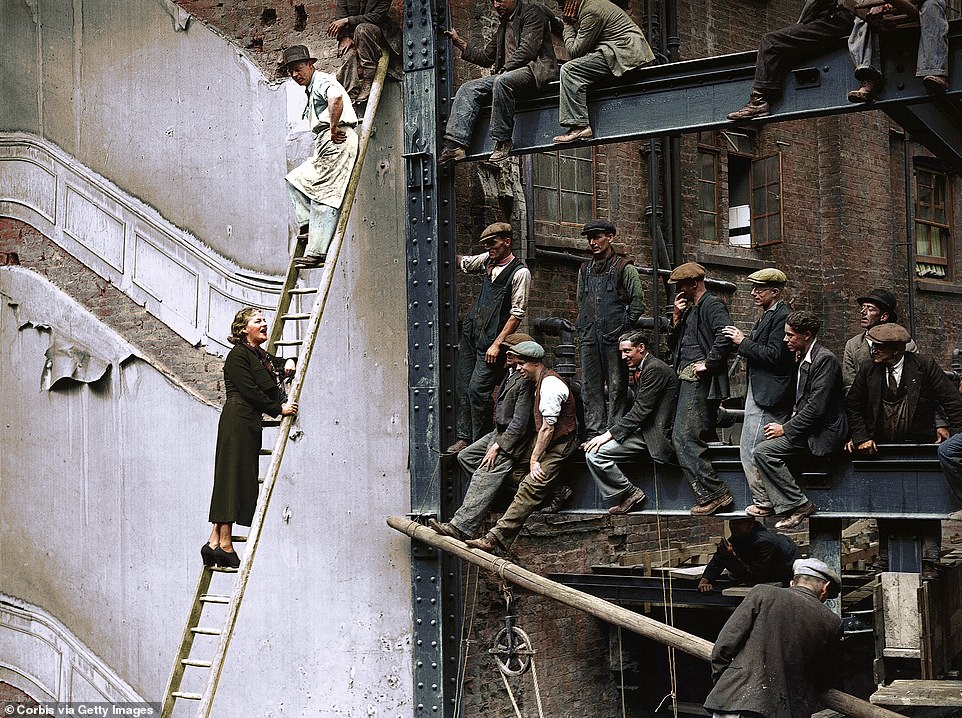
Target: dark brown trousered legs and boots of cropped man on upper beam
821 24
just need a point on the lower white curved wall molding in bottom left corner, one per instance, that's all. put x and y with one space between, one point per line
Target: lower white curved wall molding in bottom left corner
42 658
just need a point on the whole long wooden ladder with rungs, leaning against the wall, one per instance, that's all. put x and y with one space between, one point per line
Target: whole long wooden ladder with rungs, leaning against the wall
214 664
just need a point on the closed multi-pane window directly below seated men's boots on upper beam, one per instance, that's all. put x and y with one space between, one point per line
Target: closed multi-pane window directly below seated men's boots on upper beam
563 189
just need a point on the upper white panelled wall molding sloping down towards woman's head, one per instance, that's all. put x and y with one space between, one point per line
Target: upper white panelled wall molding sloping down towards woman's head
181 281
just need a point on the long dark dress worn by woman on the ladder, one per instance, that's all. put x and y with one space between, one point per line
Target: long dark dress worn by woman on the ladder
252 390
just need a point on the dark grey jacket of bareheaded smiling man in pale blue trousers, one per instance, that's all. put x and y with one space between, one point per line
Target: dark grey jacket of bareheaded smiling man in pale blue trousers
652 410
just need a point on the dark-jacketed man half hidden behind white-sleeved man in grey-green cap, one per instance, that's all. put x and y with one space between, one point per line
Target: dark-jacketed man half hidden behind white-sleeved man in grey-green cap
490 460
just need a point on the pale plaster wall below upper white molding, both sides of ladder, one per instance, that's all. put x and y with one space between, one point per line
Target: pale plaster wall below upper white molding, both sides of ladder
104 489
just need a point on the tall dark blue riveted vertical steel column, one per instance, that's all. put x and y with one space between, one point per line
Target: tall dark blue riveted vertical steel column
432 340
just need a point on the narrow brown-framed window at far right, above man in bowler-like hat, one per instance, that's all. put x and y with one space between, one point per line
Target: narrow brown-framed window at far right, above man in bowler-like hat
932 223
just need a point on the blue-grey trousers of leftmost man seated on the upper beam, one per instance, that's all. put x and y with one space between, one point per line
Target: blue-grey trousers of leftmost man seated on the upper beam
502 90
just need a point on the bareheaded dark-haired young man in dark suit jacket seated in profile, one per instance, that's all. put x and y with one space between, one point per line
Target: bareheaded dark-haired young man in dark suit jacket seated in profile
817 427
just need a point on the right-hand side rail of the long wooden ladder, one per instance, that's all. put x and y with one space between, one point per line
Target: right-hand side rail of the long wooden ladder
277 456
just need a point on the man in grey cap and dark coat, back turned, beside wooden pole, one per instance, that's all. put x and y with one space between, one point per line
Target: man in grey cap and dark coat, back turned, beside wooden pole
779 649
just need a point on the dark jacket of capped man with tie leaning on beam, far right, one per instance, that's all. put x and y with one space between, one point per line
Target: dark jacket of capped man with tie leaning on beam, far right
927 390
